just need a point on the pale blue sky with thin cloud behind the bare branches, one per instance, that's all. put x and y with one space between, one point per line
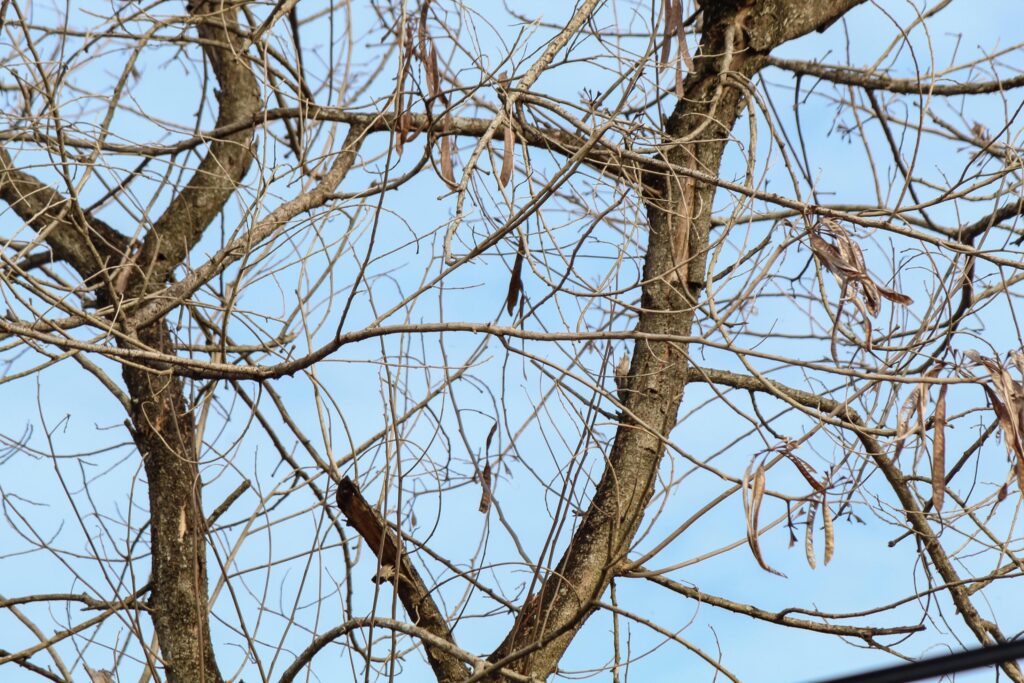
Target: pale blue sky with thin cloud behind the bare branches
61 414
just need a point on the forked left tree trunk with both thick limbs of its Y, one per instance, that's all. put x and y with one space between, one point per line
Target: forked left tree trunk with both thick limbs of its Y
161 421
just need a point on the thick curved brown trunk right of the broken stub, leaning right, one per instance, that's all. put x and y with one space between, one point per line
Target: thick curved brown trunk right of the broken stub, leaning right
674 275
